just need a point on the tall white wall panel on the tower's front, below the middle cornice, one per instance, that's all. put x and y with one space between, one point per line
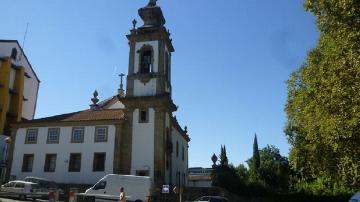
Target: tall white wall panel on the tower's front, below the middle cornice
142 154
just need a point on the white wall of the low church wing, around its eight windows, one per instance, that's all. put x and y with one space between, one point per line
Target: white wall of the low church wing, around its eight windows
63 150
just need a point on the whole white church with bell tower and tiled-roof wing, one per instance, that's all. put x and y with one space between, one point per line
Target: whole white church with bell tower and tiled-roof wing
132 133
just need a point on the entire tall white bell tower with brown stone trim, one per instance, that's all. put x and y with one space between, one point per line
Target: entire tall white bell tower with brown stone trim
148 102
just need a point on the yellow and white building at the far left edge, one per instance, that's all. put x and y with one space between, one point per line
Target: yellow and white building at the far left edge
19 87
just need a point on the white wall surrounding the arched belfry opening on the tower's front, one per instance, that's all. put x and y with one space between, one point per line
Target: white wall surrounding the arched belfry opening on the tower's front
138 46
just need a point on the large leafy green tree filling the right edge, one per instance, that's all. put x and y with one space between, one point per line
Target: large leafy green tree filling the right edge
323 106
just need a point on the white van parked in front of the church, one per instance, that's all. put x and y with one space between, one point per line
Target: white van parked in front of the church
136 188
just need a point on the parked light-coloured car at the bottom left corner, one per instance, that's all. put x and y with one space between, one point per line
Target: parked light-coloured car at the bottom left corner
22 190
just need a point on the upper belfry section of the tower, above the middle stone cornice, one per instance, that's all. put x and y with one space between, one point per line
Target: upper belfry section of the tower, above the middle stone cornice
150 54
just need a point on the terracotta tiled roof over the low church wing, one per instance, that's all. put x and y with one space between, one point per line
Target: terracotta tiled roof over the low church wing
87 115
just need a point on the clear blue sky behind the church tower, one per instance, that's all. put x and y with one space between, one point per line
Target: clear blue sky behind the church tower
229 69
